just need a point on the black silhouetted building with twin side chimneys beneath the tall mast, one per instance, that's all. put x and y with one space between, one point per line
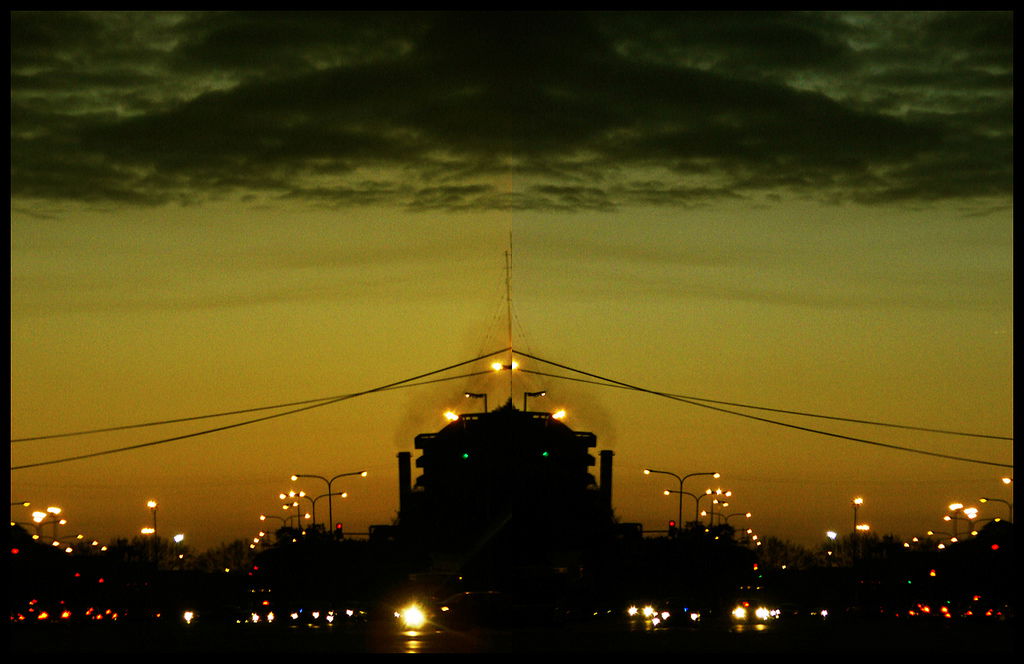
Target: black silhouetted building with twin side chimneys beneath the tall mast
505 493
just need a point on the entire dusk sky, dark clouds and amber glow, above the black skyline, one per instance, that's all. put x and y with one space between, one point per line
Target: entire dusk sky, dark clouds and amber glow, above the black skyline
221 212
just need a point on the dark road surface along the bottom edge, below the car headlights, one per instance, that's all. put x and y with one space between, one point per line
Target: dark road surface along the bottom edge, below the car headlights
385 638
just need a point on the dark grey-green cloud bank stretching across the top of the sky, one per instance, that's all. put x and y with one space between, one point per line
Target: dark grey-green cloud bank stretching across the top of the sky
438 110
